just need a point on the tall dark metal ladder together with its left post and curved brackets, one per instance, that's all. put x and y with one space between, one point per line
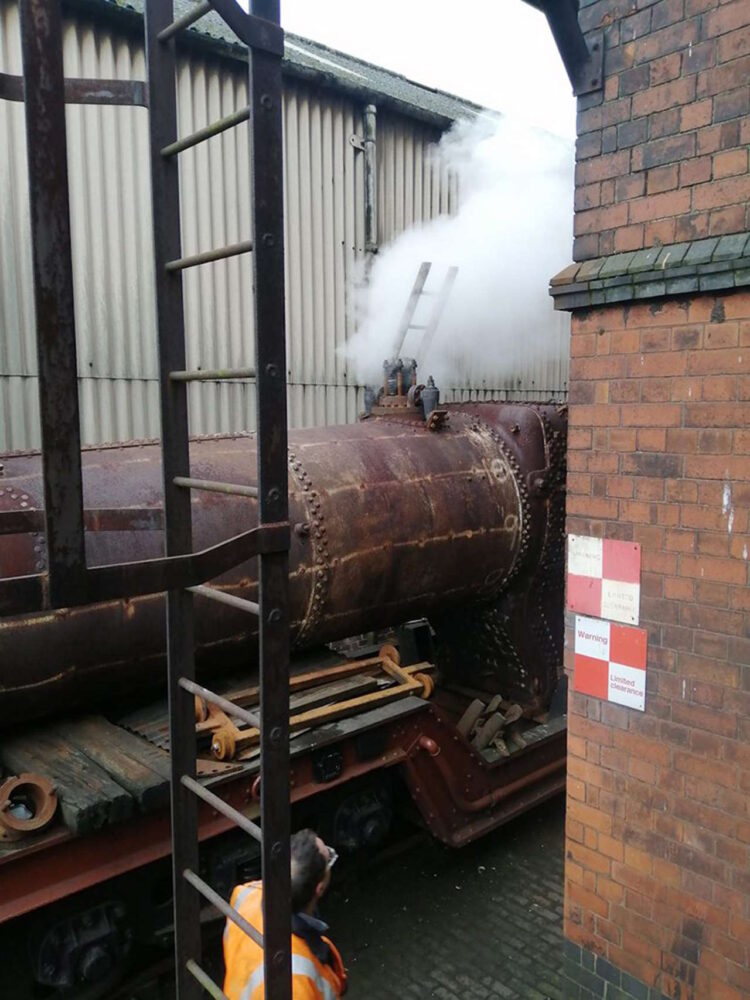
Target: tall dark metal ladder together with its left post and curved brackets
69 581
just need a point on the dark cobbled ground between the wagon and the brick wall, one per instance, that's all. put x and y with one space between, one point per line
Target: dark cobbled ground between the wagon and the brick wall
483 923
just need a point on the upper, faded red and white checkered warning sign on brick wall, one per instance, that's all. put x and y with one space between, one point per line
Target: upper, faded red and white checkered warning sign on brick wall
604 578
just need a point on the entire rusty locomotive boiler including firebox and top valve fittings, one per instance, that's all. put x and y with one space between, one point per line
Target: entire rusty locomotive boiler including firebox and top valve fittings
458 518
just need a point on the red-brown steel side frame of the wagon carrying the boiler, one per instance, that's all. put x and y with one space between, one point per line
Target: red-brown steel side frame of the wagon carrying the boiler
459 795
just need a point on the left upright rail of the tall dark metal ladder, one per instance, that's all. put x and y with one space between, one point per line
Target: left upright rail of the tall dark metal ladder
165 192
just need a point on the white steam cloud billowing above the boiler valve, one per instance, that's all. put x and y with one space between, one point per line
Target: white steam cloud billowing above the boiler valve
513 231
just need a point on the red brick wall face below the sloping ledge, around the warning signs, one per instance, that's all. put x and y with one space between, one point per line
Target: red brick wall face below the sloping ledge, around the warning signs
658 835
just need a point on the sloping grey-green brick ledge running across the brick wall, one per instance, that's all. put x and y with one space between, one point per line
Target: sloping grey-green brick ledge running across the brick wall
716 263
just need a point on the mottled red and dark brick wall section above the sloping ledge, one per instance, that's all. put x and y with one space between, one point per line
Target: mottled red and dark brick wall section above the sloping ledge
662 153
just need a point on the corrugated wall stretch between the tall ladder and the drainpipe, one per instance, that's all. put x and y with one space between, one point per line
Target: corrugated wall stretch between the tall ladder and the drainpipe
325 212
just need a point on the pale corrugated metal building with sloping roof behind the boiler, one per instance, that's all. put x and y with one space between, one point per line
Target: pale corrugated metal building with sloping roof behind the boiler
324 101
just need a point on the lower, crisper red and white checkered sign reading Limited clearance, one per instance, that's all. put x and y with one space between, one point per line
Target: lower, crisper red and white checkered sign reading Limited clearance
610 662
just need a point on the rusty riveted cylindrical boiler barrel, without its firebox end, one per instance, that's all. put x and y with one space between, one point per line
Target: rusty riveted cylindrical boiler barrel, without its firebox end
389 521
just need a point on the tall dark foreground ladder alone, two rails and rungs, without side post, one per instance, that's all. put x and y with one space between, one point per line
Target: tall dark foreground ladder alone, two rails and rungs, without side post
261 32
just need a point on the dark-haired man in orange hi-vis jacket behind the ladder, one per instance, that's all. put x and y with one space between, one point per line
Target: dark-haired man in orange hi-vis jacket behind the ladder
317 970
